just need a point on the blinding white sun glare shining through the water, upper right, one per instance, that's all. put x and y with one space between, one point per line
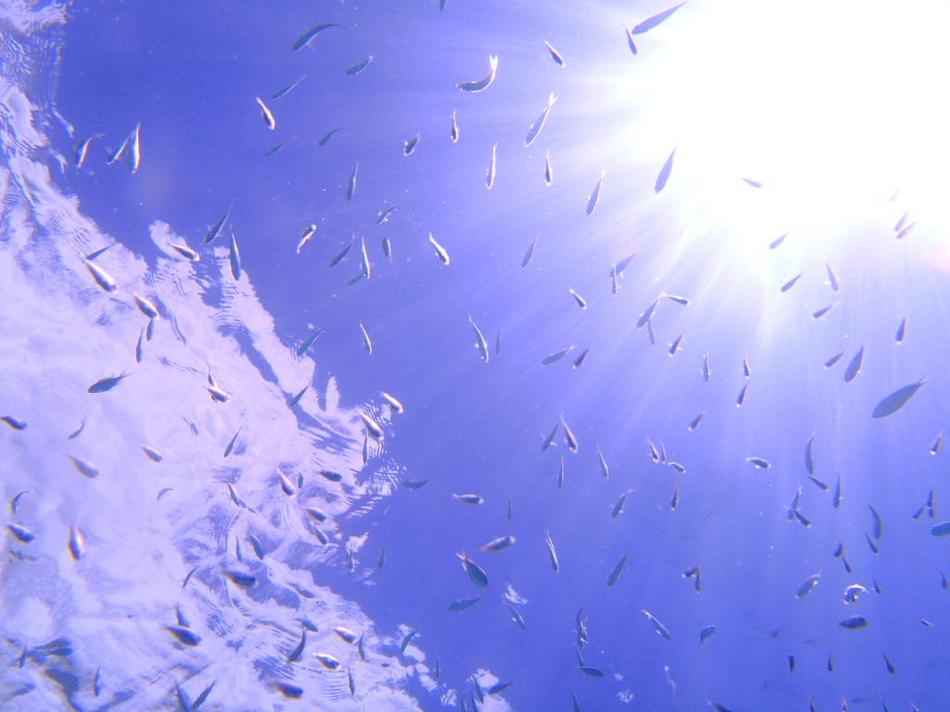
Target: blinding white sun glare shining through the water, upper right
834 106
